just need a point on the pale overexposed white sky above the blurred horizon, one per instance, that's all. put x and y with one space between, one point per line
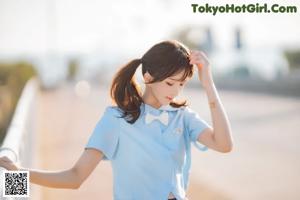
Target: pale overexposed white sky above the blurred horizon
131 26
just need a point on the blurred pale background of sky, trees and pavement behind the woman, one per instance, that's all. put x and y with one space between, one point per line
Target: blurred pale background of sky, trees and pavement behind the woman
75 47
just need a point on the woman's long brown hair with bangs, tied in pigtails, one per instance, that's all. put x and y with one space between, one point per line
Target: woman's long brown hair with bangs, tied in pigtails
161 61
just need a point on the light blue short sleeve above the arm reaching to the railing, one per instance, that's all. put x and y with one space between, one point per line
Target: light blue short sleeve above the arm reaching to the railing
105 136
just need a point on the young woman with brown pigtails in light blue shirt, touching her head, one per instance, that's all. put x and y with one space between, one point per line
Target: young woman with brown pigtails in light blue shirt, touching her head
147 135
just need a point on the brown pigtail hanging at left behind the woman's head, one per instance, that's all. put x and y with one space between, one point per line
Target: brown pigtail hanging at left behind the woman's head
125 91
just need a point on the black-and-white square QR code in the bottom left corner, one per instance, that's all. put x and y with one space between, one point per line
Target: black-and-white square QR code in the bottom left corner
16 184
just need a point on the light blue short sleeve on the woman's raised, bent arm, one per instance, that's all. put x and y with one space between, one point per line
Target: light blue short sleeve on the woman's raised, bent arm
194 126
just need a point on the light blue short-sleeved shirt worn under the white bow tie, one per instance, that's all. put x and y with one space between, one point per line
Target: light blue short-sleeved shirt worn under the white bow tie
149 160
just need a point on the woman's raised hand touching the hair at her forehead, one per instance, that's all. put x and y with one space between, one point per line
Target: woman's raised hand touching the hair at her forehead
201 61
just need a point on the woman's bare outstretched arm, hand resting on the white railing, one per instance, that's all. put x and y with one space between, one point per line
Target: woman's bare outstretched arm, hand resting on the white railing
71 178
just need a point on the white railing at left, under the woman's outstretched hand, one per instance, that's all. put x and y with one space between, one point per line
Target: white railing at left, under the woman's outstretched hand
19 142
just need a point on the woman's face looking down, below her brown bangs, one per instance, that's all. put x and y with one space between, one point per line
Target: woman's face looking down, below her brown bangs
163 92
